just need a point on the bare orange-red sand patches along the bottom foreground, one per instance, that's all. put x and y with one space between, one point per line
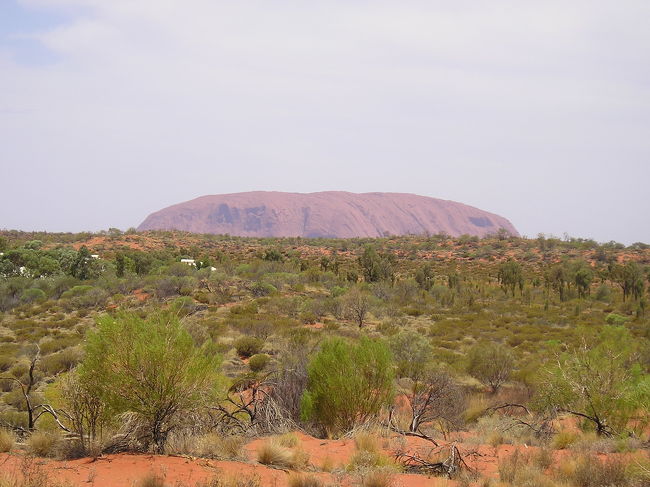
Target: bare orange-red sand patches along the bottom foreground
124 470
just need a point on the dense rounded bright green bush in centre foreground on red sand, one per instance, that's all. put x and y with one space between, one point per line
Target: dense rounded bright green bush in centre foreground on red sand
348 384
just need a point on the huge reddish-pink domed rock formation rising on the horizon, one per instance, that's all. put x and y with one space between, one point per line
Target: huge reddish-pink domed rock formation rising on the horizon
334 214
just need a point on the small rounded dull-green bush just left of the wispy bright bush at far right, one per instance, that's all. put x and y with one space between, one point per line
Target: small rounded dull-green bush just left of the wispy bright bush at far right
491 363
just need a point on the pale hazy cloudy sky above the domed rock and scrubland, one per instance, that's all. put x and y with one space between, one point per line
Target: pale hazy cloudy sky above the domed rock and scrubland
537 111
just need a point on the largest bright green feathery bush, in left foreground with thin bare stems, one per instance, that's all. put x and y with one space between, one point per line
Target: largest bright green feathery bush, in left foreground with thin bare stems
150 368
